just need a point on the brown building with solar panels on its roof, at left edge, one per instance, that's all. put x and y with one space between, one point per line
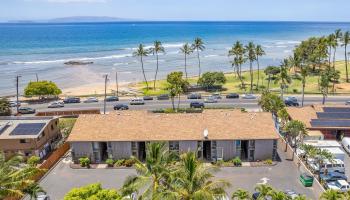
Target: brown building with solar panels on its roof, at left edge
28 136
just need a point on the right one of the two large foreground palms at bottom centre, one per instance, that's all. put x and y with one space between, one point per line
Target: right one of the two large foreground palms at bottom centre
193 180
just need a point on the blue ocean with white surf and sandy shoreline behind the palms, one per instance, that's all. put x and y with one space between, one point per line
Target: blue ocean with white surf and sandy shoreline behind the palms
29 49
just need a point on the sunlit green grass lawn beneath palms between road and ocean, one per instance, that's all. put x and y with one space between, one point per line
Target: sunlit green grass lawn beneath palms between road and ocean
233 83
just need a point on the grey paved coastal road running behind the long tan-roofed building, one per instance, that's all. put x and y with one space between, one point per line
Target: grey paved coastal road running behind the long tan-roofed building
184 103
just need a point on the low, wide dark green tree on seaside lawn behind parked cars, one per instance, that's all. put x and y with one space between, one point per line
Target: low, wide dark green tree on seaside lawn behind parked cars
211 79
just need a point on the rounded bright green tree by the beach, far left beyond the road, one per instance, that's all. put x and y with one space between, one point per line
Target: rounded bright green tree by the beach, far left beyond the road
41 89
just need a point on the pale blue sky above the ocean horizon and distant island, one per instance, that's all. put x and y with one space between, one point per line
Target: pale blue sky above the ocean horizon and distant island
226 10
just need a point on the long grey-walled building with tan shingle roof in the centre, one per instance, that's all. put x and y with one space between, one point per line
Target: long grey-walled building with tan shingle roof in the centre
214 134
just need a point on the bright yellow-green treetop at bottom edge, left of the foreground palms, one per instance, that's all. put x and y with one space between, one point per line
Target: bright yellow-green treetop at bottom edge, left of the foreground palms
92 192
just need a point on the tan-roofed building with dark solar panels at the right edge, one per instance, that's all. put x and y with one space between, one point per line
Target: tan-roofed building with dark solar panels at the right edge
324 122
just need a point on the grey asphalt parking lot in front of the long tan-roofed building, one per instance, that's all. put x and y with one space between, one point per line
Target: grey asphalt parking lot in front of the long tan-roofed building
282 176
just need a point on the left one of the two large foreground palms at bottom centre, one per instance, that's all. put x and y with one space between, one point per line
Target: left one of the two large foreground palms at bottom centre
152 173
